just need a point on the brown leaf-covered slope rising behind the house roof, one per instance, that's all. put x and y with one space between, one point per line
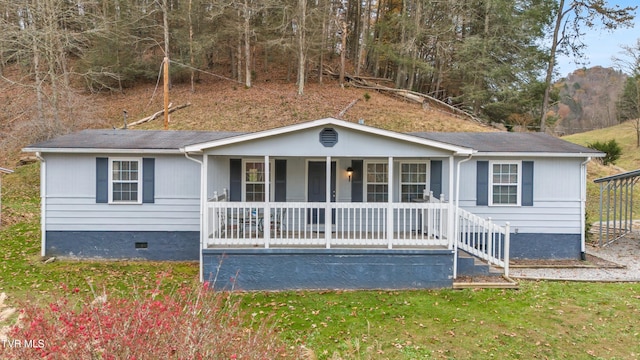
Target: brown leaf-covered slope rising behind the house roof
218 104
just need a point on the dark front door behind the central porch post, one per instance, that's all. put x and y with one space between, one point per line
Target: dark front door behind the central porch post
317 189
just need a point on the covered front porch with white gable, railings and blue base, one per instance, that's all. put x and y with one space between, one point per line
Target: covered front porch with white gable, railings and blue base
353 206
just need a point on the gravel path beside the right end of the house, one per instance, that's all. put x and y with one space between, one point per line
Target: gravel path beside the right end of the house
624 252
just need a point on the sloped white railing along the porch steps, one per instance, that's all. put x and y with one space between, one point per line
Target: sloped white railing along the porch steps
483 239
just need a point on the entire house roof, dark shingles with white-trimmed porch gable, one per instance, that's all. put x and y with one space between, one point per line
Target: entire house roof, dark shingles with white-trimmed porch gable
159 141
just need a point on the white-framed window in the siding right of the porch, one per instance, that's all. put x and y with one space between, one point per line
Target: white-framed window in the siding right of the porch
505 183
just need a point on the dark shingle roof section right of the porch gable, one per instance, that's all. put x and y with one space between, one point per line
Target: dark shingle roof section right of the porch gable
503 142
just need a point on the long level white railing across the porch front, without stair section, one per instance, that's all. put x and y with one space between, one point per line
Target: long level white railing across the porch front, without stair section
297 224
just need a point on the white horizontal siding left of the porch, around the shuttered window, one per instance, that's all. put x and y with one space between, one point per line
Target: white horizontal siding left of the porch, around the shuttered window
71 203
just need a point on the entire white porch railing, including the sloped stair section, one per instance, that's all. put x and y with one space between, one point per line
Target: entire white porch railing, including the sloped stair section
303 224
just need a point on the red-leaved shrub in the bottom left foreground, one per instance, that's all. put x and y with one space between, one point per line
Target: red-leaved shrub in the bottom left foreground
188 324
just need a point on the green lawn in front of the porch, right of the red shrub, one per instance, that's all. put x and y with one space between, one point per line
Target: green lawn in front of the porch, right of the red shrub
542 319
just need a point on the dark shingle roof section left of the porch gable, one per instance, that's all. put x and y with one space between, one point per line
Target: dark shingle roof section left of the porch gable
131 139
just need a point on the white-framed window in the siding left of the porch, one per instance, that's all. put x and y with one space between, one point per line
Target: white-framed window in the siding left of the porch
125 185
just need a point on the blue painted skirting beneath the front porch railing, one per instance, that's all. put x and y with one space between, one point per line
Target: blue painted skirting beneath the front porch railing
282 269
